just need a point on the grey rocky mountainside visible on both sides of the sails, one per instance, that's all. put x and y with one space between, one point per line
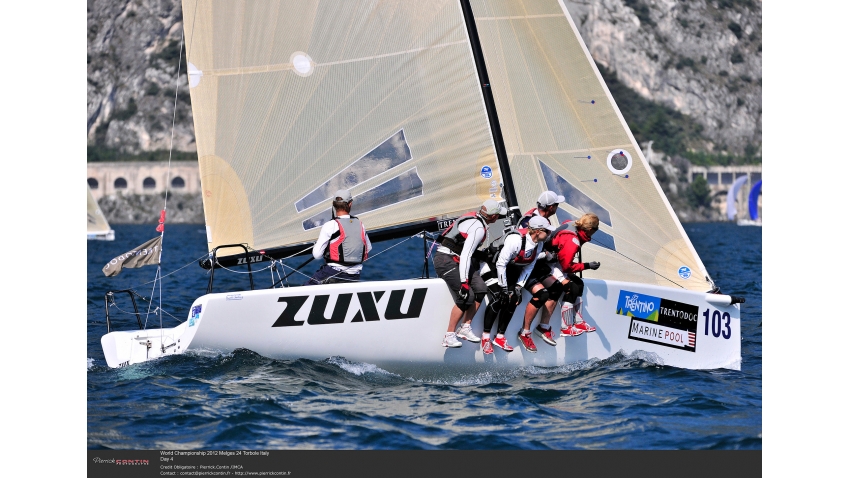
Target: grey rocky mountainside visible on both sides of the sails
701 58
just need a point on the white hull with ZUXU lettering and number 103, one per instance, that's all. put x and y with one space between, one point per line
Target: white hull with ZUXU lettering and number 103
399 326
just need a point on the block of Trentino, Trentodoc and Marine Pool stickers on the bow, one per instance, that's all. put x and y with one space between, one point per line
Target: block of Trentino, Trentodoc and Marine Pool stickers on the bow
660 321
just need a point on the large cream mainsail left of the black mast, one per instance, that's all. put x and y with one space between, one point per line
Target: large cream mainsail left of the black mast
294 100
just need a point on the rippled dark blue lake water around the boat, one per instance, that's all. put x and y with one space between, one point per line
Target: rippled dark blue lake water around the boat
244 401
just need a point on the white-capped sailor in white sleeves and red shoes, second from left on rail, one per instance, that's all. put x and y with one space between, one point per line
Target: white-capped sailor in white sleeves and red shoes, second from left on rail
513 264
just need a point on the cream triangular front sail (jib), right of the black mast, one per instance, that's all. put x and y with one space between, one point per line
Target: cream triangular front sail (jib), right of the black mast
563 132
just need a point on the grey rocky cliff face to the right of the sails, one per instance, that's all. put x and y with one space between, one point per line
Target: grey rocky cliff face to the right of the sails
701 58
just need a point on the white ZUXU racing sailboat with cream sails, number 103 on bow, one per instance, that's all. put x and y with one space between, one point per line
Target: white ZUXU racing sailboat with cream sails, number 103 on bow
422 110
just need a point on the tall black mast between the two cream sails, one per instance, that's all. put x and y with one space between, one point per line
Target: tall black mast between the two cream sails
495 128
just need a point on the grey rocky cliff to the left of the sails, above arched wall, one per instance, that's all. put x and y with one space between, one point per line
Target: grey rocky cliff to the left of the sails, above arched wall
133 51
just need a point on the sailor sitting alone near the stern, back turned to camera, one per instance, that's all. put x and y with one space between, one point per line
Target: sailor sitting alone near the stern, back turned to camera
343 243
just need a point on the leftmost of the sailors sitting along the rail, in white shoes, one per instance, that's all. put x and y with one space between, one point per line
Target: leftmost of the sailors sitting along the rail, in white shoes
455 264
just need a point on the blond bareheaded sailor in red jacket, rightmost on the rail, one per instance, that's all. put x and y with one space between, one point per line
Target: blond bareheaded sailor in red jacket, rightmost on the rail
564 244
